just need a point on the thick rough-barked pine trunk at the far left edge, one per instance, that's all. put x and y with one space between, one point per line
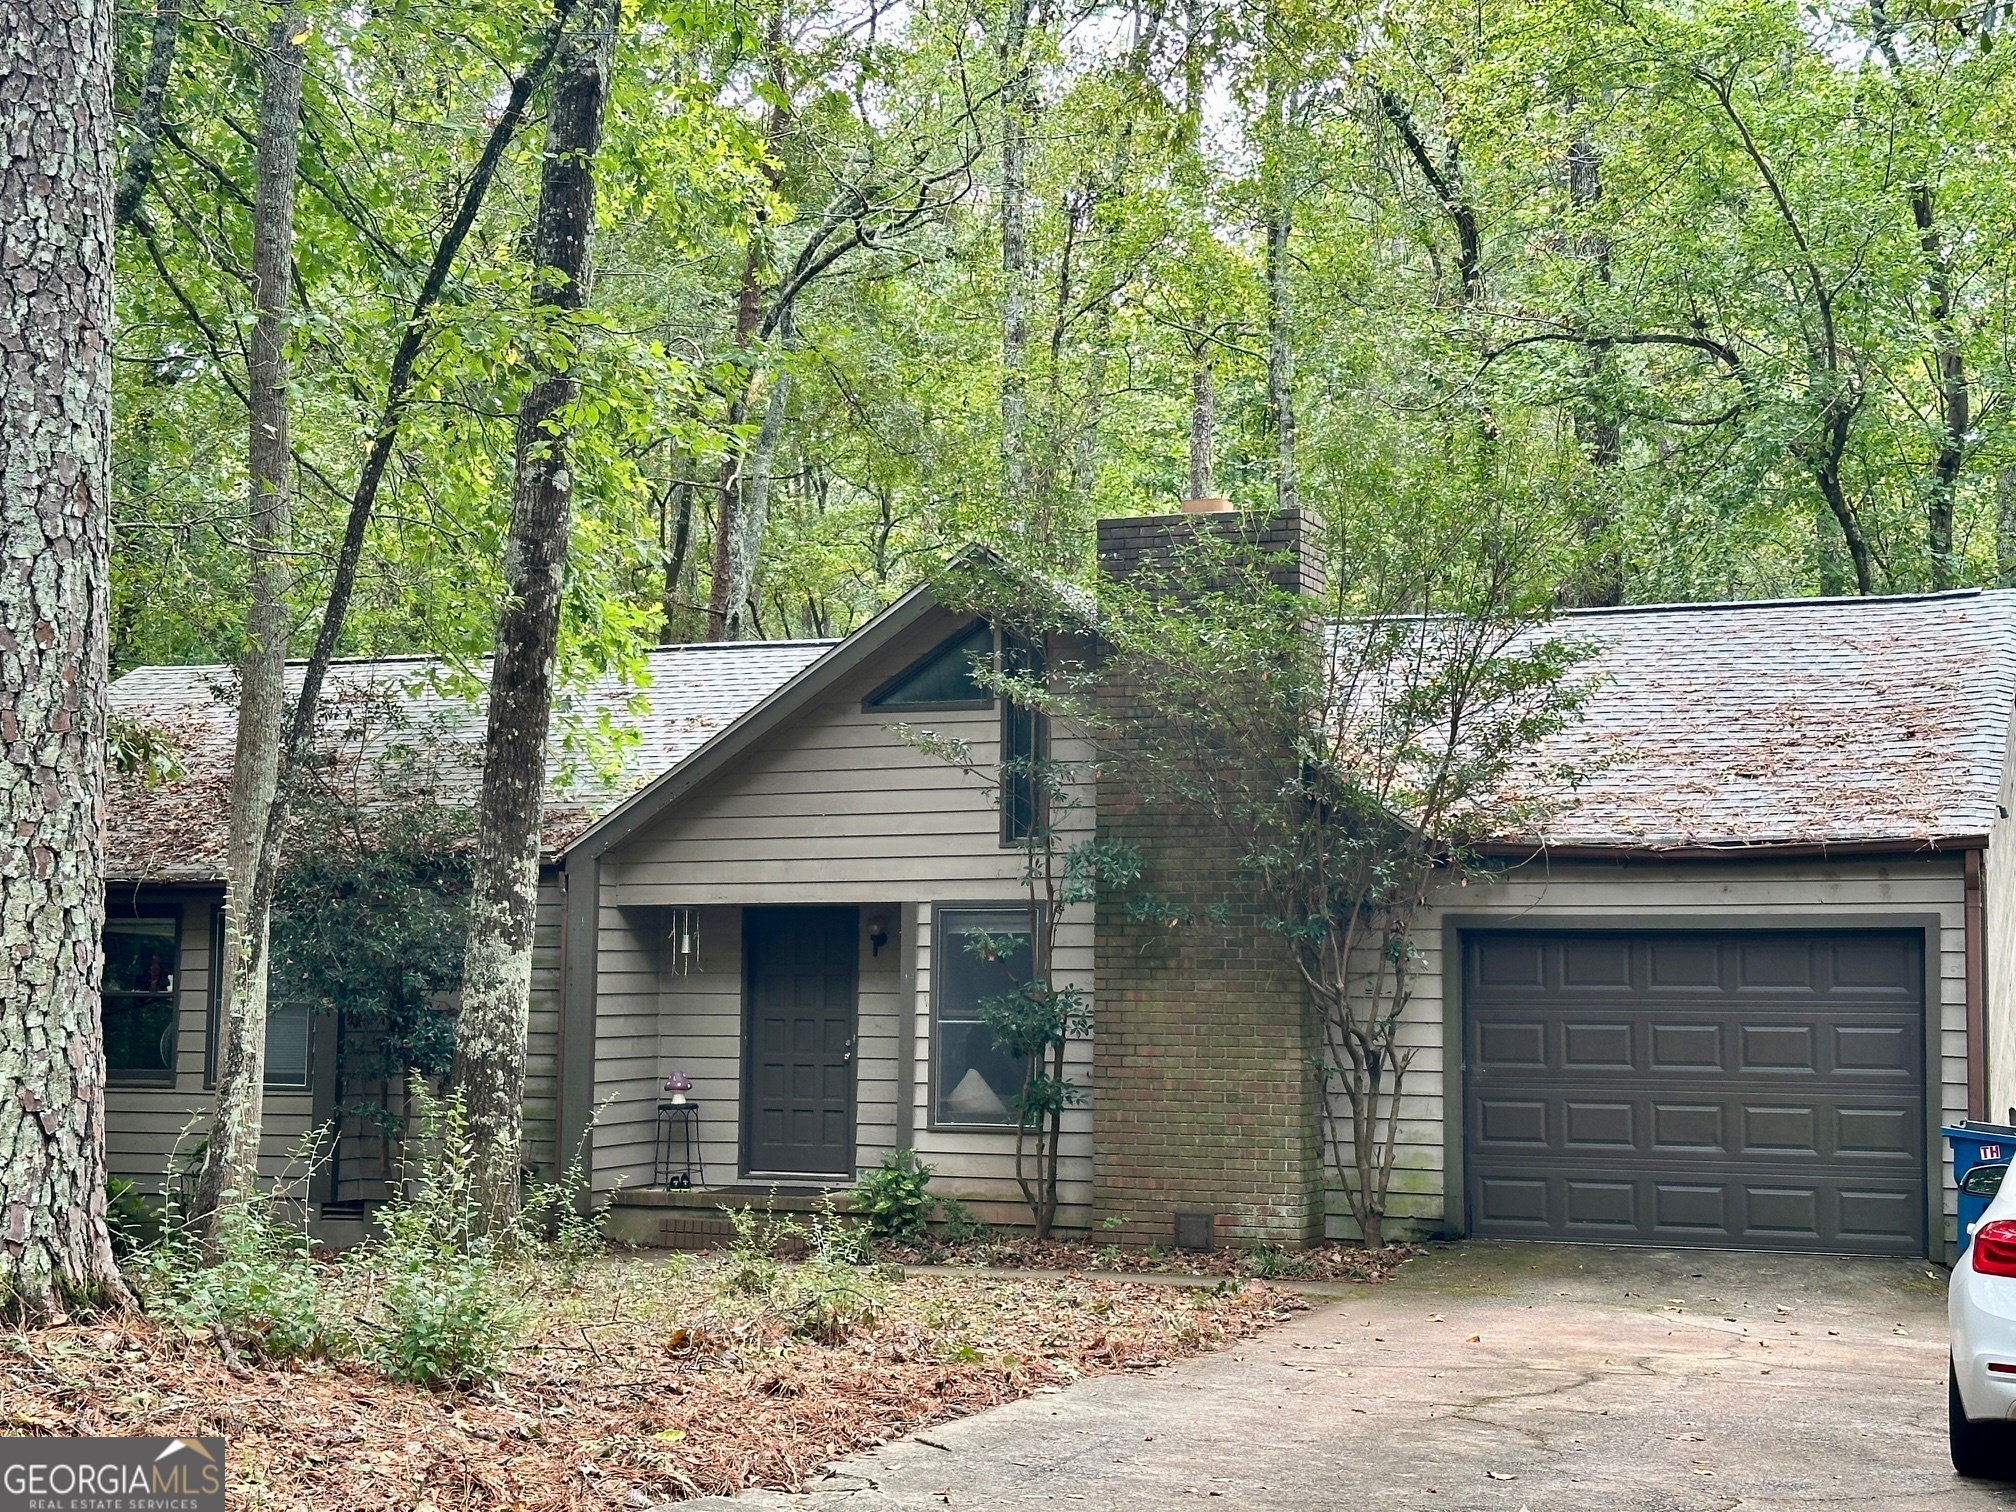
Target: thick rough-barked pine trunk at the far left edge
55 503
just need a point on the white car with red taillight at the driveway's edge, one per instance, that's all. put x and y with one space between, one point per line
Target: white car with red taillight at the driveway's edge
1981 1311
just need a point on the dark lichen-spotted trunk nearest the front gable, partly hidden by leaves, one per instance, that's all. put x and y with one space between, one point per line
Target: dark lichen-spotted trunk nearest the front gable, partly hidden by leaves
497 973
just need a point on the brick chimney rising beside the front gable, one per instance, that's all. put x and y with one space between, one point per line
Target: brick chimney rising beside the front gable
1205 1043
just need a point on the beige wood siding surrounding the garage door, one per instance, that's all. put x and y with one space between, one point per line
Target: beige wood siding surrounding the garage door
1674 896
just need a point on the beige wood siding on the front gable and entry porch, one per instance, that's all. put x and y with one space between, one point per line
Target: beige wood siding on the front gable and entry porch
834 809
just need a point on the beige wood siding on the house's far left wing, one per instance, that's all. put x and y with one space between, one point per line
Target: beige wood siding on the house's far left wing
152 1130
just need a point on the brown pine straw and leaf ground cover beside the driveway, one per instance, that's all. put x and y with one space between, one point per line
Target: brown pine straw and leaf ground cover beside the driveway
642 1382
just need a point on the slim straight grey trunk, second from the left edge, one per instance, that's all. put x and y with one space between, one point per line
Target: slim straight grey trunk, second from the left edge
231 1160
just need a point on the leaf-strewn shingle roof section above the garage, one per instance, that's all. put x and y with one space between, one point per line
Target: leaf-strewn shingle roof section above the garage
1807 723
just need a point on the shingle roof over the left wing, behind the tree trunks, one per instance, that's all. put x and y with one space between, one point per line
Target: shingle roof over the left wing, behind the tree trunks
402 719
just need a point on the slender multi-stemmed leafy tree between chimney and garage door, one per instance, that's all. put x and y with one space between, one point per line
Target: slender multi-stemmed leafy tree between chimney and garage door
1354 753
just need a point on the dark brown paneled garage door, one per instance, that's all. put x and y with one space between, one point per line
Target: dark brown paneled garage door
1725 1090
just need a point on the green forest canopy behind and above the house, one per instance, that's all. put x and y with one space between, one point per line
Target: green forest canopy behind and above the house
1709 297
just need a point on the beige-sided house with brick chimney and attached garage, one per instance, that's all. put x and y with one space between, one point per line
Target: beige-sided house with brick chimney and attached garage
1725 997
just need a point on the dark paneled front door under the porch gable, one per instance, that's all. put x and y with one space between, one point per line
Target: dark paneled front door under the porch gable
799 1003
